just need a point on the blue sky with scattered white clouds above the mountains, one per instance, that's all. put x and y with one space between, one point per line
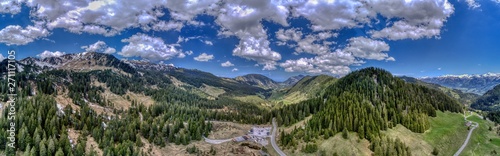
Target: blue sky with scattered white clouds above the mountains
276 38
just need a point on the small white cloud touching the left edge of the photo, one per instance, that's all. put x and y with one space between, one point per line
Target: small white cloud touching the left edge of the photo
16 35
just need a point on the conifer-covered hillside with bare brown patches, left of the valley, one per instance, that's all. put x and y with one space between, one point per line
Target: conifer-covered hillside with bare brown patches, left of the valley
177 116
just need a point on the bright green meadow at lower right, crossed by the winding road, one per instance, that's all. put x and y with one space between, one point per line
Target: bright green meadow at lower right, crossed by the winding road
447 134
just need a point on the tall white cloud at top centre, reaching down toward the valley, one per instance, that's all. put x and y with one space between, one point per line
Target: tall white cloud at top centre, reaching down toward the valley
242 19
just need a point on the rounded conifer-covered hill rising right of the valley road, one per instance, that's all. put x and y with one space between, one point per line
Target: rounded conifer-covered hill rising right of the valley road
365 101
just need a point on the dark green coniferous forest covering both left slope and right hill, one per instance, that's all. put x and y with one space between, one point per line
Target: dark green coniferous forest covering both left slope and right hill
366 101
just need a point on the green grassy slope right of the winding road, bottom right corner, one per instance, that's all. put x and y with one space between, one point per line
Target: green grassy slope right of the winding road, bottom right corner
480 143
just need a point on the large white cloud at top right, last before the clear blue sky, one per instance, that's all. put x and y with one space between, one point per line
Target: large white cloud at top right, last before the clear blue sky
417 19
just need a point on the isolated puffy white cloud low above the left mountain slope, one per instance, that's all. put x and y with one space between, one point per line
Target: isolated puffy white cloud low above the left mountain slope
147 47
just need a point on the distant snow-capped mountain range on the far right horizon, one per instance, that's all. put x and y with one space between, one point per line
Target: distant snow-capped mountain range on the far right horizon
477 84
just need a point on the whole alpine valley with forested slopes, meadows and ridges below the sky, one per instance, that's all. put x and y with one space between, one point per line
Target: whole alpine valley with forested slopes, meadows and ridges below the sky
95 104
